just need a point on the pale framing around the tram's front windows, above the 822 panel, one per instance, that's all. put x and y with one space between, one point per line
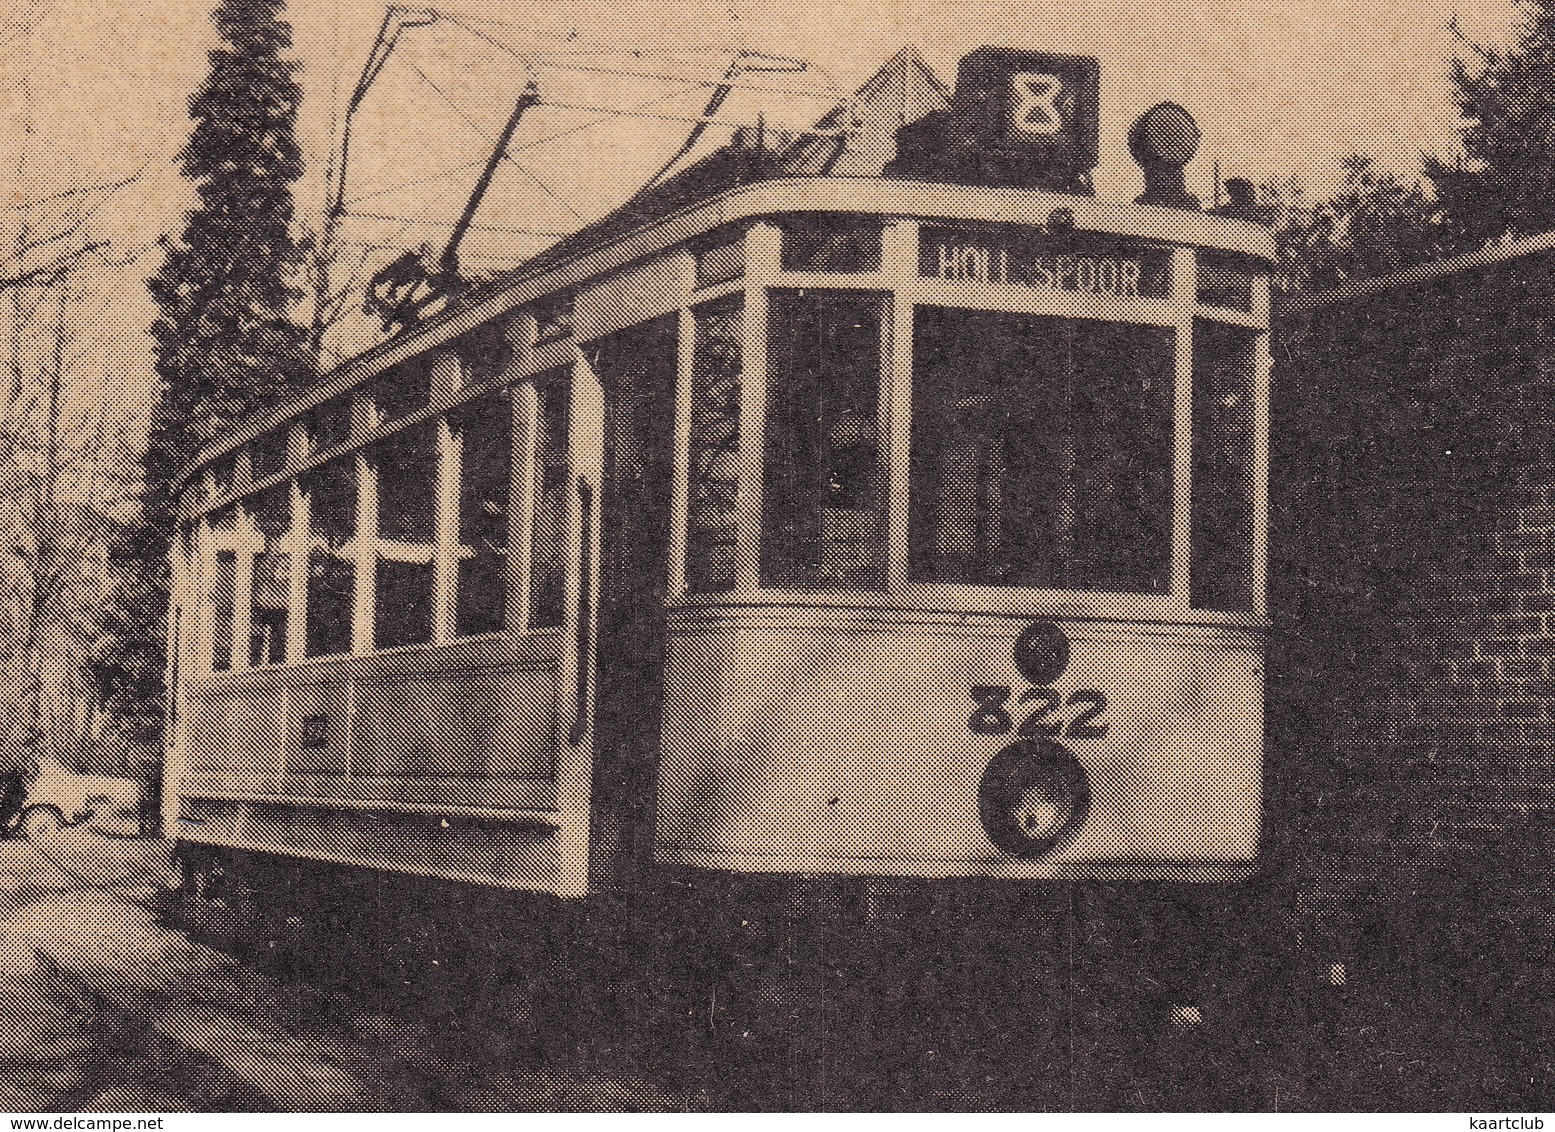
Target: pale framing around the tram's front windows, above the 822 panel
901 279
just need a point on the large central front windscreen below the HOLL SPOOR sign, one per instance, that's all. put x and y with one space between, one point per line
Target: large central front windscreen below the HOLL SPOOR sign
1043 452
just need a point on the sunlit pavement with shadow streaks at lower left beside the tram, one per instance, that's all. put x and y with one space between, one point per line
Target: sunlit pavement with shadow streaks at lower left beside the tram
105 1010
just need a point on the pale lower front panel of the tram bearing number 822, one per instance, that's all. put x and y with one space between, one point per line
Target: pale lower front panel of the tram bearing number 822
847 747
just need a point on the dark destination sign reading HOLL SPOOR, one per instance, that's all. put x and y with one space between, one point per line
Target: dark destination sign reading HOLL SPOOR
1044 264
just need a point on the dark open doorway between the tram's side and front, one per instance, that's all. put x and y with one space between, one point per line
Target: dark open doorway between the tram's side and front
637 372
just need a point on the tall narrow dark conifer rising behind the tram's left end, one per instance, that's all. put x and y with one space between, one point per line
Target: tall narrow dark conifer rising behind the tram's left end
226 338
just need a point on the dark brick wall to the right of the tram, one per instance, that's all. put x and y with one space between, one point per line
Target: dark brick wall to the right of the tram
1414 663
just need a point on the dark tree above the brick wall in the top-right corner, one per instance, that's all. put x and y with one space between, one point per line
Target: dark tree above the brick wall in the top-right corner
1506 180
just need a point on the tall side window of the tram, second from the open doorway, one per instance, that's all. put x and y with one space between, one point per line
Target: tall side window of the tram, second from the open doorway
487 430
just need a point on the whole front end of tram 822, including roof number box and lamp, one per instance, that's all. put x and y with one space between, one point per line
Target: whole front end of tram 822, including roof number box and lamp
974 515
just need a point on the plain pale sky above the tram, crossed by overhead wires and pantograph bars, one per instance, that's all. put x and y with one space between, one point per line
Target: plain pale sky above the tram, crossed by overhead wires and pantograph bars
94 93
